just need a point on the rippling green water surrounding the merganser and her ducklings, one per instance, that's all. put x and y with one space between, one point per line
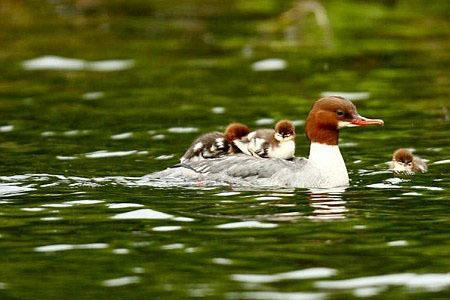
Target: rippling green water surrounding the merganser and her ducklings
78 221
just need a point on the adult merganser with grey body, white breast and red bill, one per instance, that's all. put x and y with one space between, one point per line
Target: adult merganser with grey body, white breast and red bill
325 167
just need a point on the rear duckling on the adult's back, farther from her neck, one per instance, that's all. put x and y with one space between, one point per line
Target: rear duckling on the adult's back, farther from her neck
215 144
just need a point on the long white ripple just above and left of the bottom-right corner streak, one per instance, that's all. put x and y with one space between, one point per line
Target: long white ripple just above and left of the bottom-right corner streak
310 273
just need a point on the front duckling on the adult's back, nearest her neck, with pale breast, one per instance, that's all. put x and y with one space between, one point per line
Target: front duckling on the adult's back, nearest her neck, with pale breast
272 143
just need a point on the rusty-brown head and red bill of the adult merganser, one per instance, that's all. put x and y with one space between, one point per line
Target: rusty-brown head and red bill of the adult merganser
328 115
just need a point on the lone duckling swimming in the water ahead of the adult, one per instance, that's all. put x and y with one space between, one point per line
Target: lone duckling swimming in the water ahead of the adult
403 161
